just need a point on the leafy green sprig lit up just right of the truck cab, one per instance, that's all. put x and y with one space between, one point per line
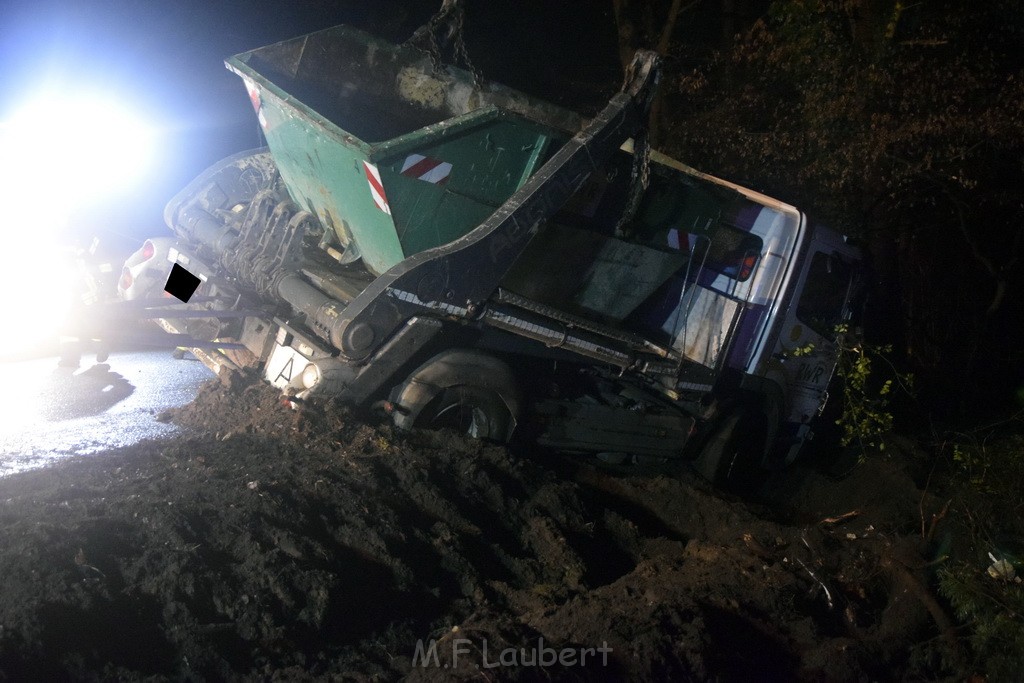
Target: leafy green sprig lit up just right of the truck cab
867 414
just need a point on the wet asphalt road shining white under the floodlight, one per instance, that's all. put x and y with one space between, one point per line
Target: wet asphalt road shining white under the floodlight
49 412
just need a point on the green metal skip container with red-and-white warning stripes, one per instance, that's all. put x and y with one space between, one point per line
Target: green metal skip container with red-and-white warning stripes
393 156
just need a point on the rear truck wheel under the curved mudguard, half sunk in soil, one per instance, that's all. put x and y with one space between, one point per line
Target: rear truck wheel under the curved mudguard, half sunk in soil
468 410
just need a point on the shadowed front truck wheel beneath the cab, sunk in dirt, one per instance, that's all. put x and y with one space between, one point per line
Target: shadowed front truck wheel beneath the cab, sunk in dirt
732 460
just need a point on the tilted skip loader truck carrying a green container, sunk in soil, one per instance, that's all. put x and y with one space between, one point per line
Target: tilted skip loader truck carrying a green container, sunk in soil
471 258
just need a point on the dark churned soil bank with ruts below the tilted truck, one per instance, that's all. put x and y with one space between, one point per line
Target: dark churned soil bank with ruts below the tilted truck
277 543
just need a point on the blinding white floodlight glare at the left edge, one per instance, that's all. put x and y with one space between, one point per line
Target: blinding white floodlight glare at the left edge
62 153
